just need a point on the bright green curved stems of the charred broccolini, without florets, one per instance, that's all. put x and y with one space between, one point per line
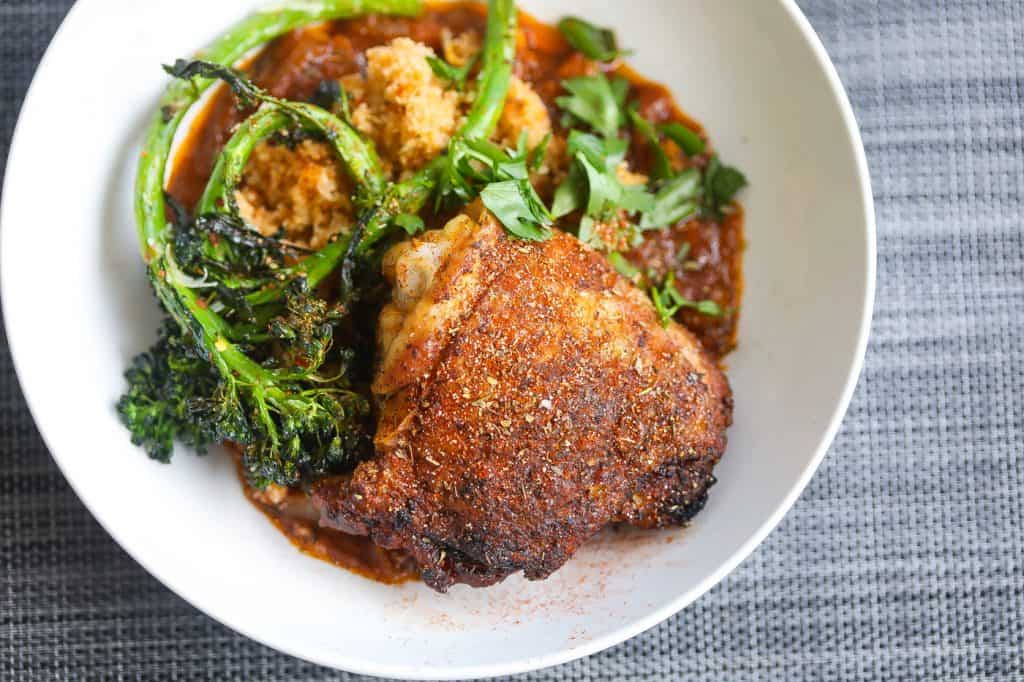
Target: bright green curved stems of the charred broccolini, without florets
408 197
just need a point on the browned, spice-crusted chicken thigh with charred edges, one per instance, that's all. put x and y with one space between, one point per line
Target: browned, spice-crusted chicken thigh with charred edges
529 398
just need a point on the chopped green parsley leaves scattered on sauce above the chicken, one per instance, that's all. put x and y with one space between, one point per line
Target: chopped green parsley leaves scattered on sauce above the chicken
615 216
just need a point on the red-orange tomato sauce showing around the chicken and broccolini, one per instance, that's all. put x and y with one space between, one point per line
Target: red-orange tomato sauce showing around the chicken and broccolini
293 67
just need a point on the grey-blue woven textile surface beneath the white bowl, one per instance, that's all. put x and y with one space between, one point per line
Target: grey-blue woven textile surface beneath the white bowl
904 560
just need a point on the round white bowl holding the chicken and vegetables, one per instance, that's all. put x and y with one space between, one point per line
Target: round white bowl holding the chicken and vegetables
78 309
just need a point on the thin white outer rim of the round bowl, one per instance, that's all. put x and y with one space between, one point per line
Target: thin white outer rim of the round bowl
358 666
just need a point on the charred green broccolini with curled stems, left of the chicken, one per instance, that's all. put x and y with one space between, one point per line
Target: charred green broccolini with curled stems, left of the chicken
250 351
